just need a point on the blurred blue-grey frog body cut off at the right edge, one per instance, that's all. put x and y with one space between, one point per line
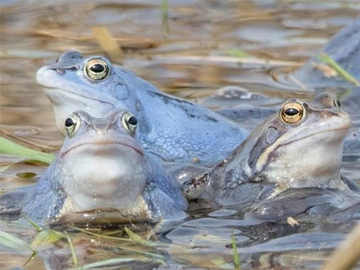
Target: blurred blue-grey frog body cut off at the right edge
344 48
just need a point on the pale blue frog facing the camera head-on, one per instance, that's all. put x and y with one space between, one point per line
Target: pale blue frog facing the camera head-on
100 175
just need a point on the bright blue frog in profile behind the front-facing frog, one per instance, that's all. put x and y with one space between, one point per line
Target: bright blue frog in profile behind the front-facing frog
173 129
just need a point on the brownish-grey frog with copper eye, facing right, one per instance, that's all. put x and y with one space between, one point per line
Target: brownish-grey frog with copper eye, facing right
298 147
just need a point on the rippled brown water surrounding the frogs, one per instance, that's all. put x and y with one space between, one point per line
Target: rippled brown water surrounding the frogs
192 60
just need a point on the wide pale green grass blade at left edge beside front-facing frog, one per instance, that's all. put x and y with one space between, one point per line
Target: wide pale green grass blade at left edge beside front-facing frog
9 147
